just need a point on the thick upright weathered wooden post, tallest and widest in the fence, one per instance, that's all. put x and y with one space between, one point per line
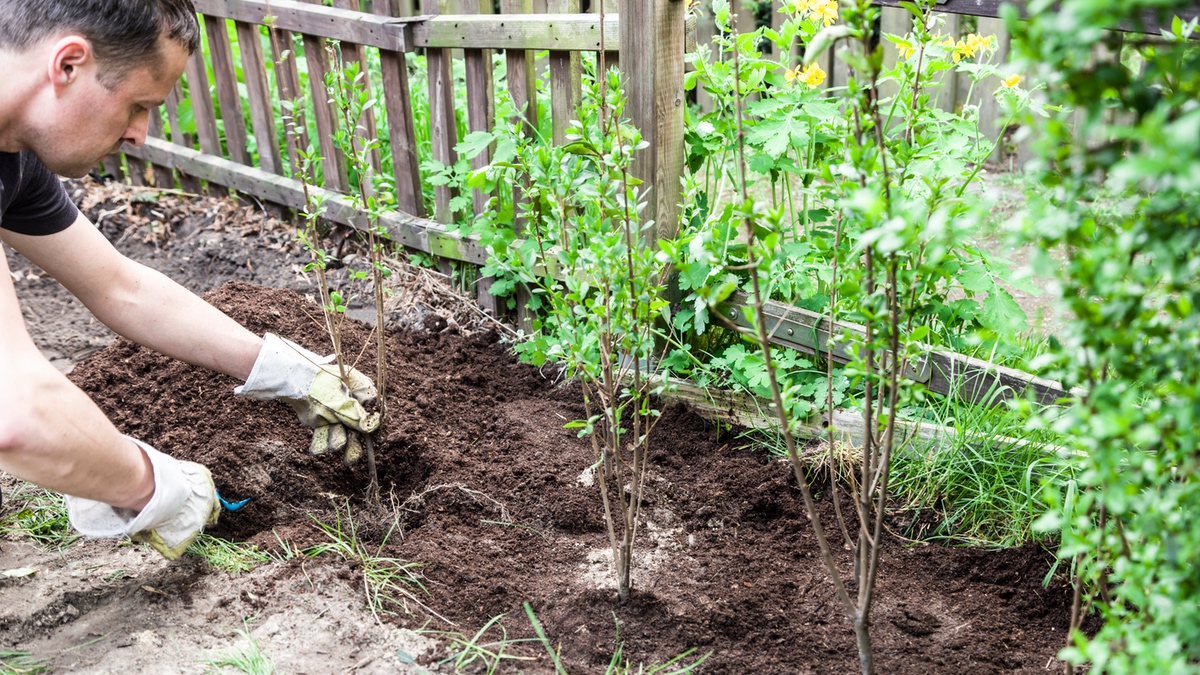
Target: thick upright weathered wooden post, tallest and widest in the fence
652 55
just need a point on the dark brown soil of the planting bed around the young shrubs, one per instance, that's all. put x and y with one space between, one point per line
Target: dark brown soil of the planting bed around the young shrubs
730 561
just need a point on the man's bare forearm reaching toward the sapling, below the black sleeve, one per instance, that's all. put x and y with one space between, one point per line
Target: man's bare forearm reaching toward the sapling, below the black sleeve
140 303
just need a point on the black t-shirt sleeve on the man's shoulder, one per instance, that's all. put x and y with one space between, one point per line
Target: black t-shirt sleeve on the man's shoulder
33 201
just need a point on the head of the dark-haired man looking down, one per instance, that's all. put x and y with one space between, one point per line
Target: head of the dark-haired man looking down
87 74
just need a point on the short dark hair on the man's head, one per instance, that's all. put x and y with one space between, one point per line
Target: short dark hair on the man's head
124 34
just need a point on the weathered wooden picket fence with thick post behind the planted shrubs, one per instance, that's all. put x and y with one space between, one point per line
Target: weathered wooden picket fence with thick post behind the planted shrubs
273 67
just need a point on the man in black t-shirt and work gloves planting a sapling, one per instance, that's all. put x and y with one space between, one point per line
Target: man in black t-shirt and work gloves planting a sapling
77 80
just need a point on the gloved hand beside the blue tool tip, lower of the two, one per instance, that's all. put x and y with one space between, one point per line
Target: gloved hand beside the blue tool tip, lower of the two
184 504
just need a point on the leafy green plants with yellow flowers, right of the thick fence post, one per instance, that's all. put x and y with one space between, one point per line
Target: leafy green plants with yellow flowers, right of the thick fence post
823 194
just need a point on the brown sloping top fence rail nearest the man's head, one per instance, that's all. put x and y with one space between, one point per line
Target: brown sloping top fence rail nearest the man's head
315 20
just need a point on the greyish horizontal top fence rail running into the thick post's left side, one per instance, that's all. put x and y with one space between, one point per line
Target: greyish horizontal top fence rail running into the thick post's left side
568 33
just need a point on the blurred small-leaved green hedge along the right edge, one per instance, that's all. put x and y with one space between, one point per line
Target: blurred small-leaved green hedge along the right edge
1131 279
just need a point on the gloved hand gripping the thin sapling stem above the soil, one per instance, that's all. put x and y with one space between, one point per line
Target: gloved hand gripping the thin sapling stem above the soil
313 386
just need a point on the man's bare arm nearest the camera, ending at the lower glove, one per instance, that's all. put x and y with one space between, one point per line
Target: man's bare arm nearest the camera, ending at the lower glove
51 433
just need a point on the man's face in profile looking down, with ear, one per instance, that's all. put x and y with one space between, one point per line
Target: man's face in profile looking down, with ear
89 121
